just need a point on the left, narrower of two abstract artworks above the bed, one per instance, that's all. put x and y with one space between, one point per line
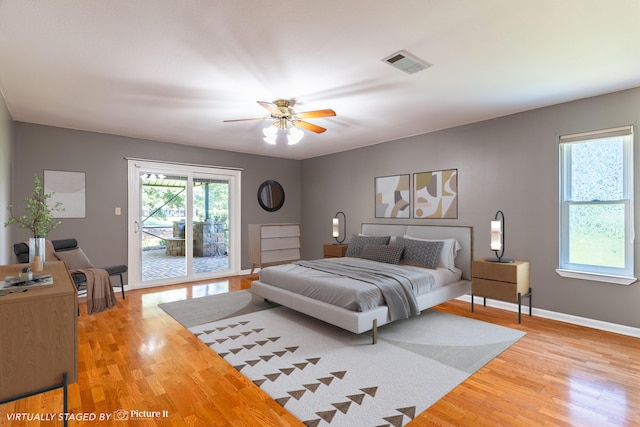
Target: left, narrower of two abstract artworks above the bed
392 197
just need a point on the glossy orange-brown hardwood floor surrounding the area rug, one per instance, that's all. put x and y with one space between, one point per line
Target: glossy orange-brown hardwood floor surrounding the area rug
136 357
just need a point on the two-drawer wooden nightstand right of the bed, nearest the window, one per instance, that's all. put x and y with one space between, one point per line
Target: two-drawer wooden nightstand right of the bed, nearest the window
502 281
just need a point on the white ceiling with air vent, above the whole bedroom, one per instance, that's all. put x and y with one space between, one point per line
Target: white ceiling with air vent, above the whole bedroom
173 70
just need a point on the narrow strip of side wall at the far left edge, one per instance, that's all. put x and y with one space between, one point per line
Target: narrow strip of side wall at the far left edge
6 136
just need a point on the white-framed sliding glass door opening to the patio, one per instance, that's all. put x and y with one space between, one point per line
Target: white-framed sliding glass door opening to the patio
182 223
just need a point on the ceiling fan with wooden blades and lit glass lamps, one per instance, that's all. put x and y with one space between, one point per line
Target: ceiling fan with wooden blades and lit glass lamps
286 119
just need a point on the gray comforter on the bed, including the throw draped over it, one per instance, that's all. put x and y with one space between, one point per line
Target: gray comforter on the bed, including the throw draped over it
354 283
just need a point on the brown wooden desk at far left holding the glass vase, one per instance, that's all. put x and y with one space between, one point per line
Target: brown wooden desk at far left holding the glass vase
38 335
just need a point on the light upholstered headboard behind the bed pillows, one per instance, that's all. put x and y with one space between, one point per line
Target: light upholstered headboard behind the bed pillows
464 235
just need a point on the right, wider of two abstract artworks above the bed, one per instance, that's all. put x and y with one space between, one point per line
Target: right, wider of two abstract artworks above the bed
435 194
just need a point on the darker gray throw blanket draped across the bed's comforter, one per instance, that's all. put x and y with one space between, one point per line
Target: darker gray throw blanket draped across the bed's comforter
396 289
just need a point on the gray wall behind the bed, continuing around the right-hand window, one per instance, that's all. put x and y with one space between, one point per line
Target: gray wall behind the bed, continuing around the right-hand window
508 164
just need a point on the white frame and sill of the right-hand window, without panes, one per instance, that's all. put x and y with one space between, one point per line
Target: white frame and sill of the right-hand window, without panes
567 269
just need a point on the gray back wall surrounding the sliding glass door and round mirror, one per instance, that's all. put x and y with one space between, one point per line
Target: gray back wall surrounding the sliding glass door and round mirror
102 235
